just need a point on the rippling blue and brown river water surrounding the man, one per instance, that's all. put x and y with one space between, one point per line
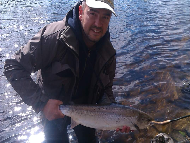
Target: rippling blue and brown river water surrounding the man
152 40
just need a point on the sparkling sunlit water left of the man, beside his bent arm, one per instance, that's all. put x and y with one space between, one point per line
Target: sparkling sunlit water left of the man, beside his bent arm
20 20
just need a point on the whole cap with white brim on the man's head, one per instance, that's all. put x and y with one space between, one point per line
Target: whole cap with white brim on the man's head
107 4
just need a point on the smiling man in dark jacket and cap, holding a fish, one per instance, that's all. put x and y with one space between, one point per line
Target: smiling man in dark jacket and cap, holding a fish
76 63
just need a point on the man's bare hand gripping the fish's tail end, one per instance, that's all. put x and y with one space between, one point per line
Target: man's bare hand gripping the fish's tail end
51 110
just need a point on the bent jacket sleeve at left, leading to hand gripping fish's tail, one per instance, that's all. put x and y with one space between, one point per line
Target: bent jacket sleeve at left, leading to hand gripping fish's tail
35 55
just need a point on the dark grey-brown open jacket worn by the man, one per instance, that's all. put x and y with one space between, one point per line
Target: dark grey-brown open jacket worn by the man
54 53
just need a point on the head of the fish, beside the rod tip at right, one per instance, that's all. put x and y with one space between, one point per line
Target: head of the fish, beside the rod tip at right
143 120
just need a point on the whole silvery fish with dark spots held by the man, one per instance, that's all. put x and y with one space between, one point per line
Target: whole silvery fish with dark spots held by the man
106 117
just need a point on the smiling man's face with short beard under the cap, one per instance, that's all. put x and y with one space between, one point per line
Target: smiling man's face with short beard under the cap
94 22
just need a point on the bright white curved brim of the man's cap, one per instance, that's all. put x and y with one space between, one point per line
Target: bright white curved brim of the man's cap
99 4
